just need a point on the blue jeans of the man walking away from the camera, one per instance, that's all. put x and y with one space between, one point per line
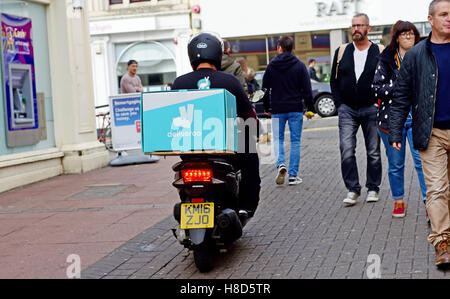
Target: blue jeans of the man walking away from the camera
295 122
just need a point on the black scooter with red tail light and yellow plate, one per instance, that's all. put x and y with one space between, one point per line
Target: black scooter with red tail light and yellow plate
208 215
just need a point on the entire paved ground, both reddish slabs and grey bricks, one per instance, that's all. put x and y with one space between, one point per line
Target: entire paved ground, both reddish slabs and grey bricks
118 221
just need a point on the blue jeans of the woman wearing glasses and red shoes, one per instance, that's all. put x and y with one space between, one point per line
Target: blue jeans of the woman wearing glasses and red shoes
396 161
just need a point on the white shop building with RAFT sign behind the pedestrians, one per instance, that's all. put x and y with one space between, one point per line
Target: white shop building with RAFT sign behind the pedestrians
318 26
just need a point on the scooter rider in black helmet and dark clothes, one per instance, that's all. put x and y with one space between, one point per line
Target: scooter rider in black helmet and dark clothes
205 53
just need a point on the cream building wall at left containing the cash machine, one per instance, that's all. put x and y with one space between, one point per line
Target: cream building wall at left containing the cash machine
47 109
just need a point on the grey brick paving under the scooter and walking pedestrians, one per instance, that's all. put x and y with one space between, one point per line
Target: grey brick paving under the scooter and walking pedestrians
298 232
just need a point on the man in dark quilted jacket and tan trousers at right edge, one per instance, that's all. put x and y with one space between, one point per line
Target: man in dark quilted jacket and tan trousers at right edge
423 85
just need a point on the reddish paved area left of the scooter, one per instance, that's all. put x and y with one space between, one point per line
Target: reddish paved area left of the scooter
89 215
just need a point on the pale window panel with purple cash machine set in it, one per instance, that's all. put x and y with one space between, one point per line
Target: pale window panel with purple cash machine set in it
26 95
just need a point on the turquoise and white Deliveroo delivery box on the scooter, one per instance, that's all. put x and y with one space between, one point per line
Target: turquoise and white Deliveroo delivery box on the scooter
188 121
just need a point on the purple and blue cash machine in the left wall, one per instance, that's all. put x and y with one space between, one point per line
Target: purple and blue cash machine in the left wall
21 105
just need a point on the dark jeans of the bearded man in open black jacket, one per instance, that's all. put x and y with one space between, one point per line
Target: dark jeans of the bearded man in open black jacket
350 120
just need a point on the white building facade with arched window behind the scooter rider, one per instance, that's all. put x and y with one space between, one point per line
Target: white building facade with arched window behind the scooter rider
155 33
